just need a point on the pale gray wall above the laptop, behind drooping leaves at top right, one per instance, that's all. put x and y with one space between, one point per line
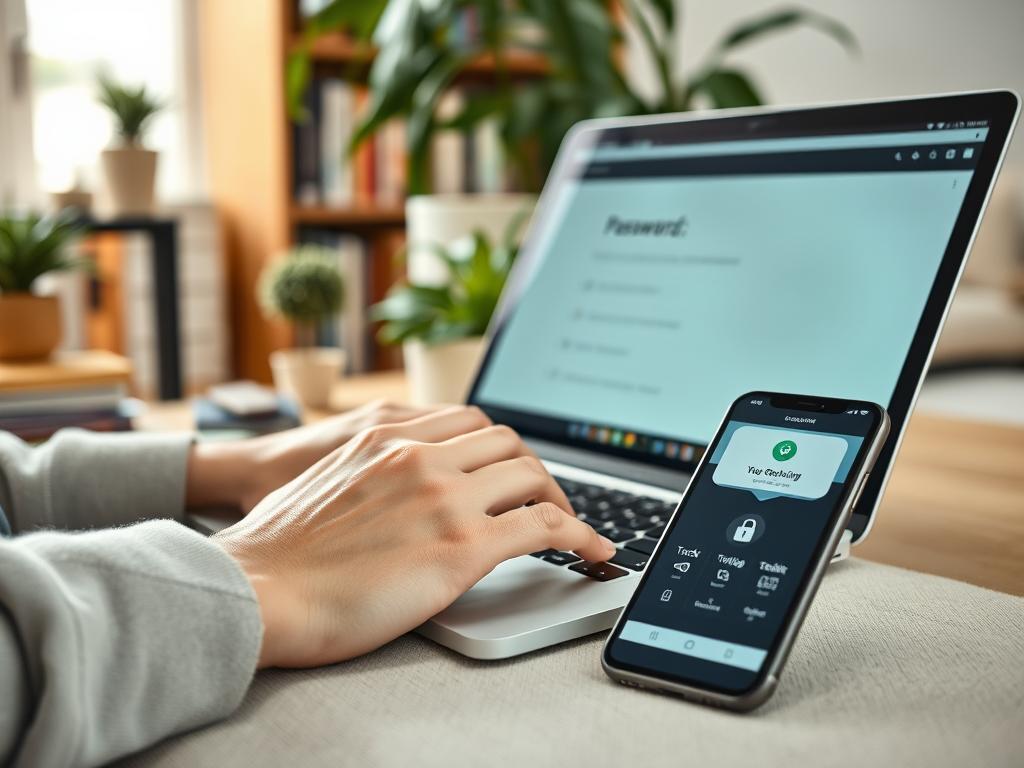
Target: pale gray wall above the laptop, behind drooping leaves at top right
909 48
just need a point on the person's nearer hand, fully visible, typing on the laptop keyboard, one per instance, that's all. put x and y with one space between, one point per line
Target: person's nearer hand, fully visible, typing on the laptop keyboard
391 529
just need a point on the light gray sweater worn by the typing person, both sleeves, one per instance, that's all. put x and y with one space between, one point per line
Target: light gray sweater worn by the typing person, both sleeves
114 639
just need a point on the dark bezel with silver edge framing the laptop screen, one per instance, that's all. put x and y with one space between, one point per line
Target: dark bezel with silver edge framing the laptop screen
1000 108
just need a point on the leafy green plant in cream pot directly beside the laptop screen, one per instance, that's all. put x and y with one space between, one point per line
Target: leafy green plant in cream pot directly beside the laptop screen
442 328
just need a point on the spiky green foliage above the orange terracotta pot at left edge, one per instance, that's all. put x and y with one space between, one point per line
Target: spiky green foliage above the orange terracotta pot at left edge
32 246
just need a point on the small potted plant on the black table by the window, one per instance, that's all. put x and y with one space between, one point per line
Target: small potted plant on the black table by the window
131 168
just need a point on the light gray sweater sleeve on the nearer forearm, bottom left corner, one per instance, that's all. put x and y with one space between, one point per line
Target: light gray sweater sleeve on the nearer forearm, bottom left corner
111 642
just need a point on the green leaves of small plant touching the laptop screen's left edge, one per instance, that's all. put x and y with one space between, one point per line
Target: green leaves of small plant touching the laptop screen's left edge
460 310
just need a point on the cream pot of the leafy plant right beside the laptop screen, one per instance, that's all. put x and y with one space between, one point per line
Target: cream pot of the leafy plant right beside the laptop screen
442 373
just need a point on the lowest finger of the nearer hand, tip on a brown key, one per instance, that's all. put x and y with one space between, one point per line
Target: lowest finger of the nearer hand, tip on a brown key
545 527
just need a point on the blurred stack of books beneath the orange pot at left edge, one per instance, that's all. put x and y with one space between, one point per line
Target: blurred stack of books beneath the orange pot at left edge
71 390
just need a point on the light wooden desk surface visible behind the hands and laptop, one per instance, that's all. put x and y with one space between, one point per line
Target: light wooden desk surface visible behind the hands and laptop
955 506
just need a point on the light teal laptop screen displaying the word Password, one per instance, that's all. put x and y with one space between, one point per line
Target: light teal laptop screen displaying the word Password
671 280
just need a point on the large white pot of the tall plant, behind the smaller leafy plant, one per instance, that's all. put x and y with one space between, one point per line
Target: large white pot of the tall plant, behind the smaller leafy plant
439 220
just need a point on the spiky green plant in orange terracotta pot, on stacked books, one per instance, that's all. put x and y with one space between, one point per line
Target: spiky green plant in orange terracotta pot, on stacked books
31 247
